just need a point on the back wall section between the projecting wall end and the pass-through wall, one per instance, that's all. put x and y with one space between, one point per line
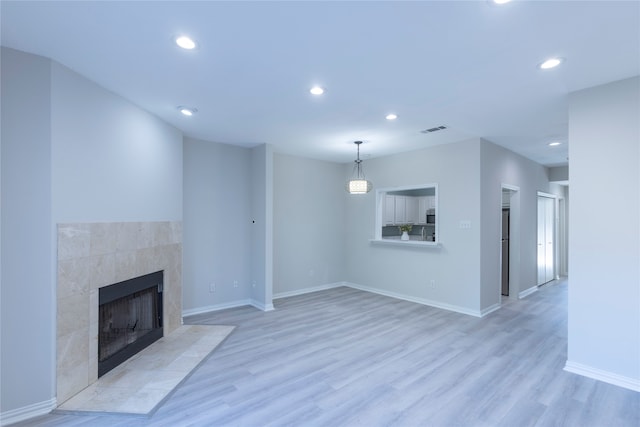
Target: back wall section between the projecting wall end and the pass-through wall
309 224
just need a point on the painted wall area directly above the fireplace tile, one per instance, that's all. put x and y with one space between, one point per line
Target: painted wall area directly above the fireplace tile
112 161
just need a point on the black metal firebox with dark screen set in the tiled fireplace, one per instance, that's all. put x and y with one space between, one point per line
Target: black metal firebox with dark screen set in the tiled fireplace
129 319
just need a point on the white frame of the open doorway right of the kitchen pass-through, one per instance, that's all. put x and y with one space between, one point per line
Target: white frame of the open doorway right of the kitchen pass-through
514 240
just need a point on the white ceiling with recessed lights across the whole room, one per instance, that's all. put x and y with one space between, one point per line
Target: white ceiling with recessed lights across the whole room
469 66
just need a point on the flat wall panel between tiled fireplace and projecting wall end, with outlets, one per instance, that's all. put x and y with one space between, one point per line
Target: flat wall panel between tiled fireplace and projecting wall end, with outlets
217 223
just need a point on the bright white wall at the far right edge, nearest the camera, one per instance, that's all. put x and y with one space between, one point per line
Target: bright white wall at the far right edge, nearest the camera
604 293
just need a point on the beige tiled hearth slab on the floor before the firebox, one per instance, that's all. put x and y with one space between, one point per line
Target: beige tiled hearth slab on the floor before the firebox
141 383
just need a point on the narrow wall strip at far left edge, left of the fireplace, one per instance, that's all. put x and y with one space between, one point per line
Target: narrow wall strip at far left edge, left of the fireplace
27 313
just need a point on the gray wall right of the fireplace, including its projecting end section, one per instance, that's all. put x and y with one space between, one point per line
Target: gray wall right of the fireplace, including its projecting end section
227 226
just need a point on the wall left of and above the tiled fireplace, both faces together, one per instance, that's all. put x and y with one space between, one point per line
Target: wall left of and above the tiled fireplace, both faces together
71 151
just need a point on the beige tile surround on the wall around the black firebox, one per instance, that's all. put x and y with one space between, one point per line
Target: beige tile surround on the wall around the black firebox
95 255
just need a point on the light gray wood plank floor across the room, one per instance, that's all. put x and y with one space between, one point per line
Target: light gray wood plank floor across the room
344 357
